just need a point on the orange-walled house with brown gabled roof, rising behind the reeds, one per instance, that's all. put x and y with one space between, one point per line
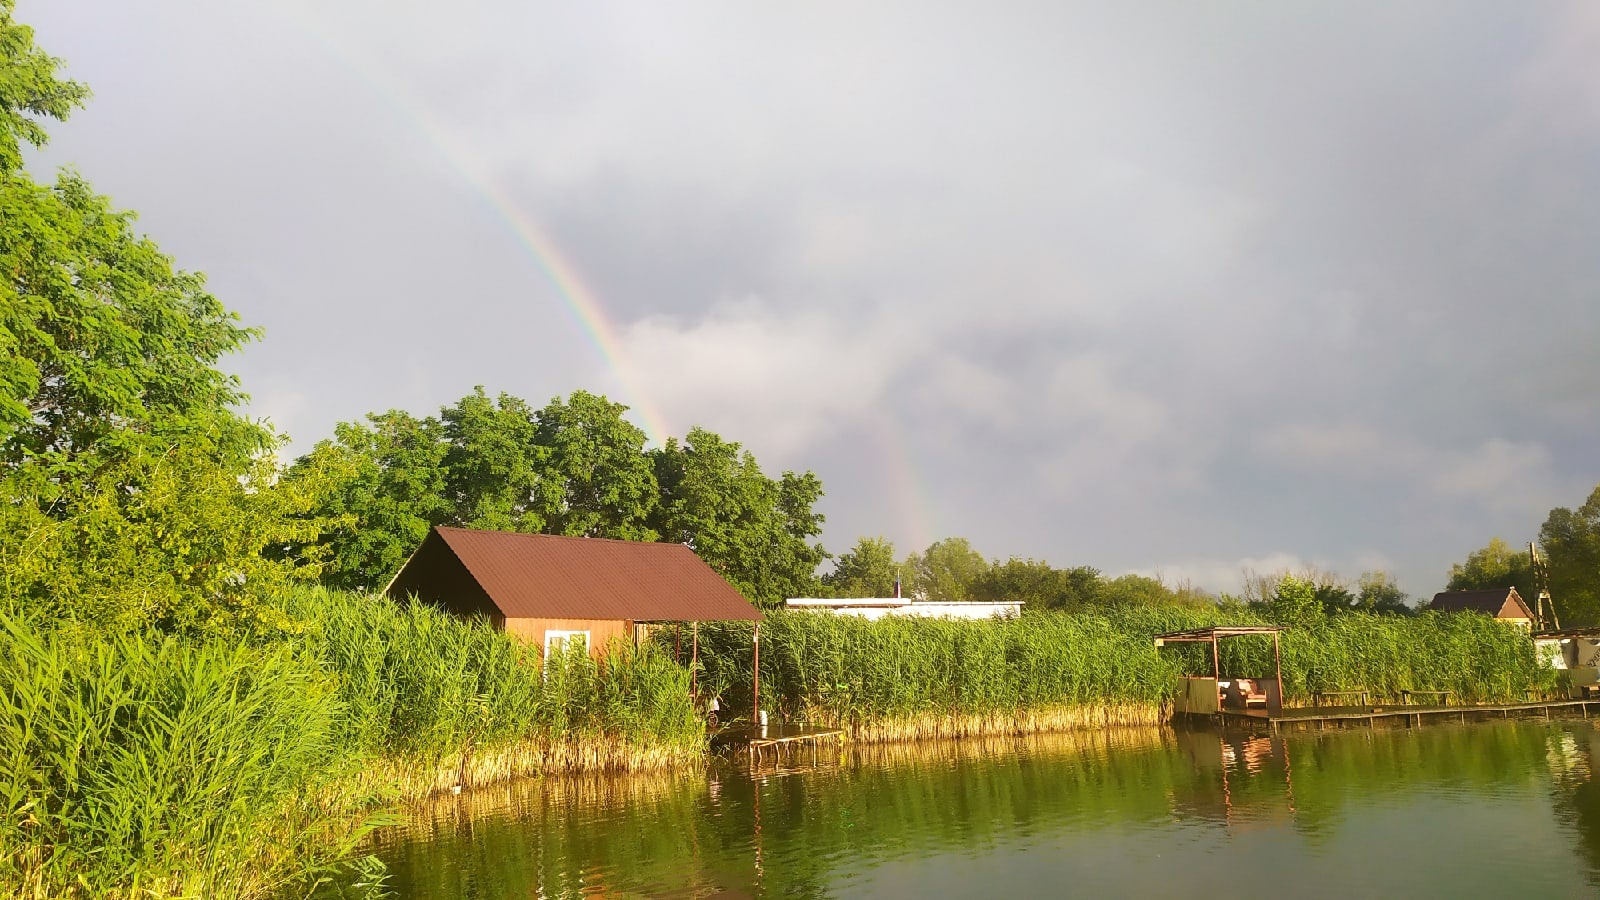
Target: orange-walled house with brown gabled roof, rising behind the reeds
551 590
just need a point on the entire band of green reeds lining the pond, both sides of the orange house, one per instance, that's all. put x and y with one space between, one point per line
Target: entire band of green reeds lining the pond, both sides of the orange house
238 765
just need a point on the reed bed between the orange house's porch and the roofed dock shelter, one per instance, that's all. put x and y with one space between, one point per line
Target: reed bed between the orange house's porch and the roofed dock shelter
903 678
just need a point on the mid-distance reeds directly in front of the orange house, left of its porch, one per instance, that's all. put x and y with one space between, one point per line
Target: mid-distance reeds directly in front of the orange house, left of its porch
422 685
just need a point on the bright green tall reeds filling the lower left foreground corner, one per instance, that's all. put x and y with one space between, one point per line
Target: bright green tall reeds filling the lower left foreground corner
151 766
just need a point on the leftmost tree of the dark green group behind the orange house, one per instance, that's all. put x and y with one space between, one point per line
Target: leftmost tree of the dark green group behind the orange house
385 491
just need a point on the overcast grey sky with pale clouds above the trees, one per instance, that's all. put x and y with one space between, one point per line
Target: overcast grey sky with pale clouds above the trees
1177 289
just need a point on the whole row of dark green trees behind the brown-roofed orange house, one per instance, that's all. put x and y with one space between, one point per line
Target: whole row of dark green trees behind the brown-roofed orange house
572 468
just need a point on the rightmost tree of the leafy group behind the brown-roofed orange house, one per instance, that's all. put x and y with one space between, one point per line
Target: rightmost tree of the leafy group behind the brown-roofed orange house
751 529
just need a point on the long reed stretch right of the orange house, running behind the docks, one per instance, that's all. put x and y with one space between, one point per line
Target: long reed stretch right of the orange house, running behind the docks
898 678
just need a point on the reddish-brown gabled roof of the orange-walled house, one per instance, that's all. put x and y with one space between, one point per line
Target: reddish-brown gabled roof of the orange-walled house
558 577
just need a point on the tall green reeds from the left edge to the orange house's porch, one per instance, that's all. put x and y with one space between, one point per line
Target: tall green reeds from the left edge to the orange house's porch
146 765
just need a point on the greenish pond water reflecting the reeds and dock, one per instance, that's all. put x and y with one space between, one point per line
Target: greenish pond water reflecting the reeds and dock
1479 810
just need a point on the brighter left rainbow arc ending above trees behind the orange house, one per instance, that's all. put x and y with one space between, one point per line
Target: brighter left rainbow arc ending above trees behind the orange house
578 297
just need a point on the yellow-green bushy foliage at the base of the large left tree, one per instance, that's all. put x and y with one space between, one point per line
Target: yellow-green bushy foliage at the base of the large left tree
178 542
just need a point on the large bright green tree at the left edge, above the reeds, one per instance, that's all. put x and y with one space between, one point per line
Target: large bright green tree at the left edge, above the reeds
132 492
